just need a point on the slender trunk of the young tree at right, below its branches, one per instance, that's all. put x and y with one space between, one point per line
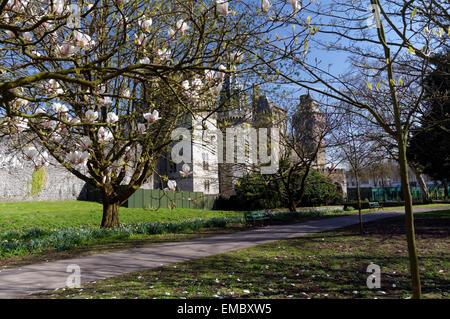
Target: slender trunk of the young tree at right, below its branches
409 222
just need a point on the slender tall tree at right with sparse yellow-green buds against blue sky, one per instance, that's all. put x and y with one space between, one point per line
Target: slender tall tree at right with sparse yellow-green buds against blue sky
374 41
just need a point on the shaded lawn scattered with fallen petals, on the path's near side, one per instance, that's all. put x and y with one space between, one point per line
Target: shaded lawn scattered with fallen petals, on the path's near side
327 265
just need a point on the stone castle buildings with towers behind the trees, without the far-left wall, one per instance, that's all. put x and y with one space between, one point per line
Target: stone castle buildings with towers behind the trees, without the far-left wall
212 174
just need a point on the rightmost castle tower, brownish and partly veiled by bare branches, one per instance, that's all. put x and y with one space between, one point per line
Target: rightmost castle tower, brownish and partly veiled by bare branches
308 125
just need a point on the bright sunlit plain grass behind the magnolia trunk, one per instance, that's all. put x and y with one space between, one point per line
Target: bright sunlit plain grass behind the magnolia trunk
20 216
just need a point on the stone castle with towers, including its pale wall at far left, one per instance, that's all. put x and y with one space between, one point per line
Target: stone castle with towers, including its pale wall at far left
210 146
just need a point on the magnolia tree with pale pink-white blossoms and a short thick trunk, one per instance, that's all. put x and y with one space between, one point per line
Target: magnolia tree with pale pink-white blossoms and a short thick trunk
99 86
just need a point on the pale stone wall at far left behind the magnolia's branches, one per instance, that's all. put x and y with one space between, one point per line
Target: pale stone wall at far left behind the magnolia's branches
16 175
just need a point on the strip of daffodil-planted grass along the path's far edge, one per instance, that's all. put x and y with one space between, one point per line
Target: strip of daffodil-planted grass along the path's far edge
48 243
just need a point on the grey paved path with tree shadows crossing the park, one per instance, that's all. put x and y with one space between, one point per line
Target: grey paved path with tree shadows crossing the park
18 282
